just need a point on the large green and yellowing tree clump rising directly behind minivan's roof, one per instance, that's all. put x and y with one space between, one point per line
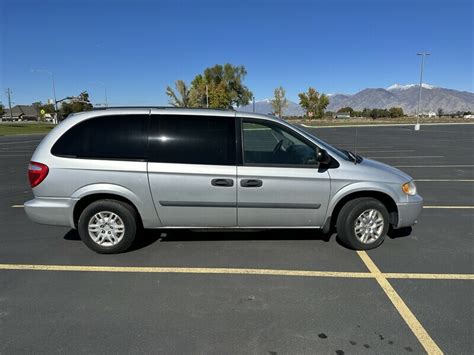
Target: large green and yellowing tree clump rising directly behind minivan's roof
220 86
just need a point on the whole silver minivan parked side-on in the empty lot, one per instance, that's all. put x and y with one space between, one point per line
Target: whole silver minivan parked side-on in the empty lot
112 172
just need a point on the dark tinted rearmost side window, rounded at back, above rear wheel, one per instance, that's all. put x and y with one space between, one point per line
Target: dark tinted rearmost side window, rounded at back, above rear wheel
120 137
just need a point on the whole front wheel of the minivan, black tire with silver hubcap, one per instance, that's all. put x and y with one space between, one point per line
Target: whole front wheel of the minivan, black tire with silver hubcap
363 214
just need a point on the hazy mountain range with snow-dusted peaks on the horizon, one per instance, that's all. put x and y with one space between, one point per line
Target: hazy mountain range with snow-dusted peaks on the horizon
404 96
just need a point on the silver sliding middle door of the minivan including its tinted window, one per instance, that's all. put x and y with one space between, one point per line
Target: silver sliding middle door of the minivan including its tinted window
192 169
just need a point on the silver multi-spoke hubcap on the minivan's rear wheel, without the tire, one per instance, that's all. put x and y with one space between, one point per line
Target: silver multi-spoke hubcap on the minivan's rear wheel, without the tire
106 228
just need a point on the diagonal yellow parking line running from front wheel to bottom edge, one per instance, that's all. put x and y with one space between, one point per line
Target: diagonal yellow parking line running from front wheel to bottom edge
422 335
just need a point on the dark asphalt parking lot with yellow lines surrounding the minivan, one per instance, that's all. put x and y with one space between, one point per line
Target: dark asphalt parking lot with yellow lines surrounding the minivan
272 292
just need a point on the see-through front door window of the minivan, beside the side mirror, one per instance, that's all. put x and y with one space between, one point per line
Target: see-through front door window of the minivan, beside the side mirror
270 144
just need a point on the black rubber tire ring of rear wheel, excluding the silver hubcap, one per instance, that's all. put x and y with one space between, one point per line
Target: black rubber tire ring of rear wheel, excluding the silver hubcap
123 210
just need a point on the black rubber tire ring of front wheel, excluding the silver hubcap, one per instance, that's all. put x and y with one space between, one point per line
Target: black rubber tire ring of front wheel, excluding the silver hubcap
347 218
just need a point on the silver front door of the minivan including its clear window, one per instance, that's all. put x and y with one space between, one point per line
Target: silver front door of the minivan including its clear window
279 183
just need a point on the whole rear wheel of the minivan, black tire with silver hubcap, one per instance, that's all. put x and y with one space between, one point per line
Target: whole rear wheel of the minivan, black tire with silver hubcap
113 226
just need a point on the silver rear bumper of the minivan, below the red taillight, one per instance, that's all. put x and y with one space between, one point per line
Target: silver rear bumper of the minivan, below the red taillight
53 211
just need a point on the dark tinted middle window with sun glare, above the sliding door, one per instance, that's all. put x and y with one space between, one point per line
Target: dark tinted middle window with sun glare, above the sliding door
188 139
